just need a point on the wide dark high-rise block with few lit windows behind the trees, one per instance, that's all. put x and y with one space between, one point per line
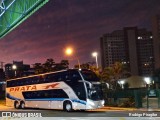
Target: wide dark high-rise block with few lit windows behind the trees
132 47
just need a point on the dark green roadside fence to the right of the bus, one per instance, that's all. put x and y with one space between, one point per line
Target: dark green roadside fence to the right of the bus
133 98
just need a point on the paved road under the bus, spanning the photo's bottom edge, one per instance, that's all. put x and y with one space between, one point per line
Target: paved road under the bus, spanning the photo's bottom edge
99 114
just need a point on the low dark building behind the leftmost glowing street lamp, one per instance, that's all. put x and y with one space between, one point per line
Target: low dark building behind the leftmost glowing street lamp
18 70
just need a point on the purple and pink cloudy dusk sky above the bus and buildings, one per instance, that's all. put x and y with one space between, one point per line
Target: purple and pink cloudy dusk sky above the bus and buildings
75 23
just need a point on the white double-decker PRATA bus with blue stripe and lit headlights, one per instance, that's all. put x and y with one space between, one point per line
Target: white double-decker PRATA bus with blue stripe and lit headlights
70 89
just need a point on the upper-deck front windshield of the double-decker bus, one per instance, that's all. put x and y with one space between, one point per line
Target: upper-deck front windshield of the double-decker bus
89 76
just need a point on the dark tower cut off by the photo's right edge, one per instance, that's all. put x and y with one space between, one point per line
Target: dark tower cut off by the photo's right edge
156 37
